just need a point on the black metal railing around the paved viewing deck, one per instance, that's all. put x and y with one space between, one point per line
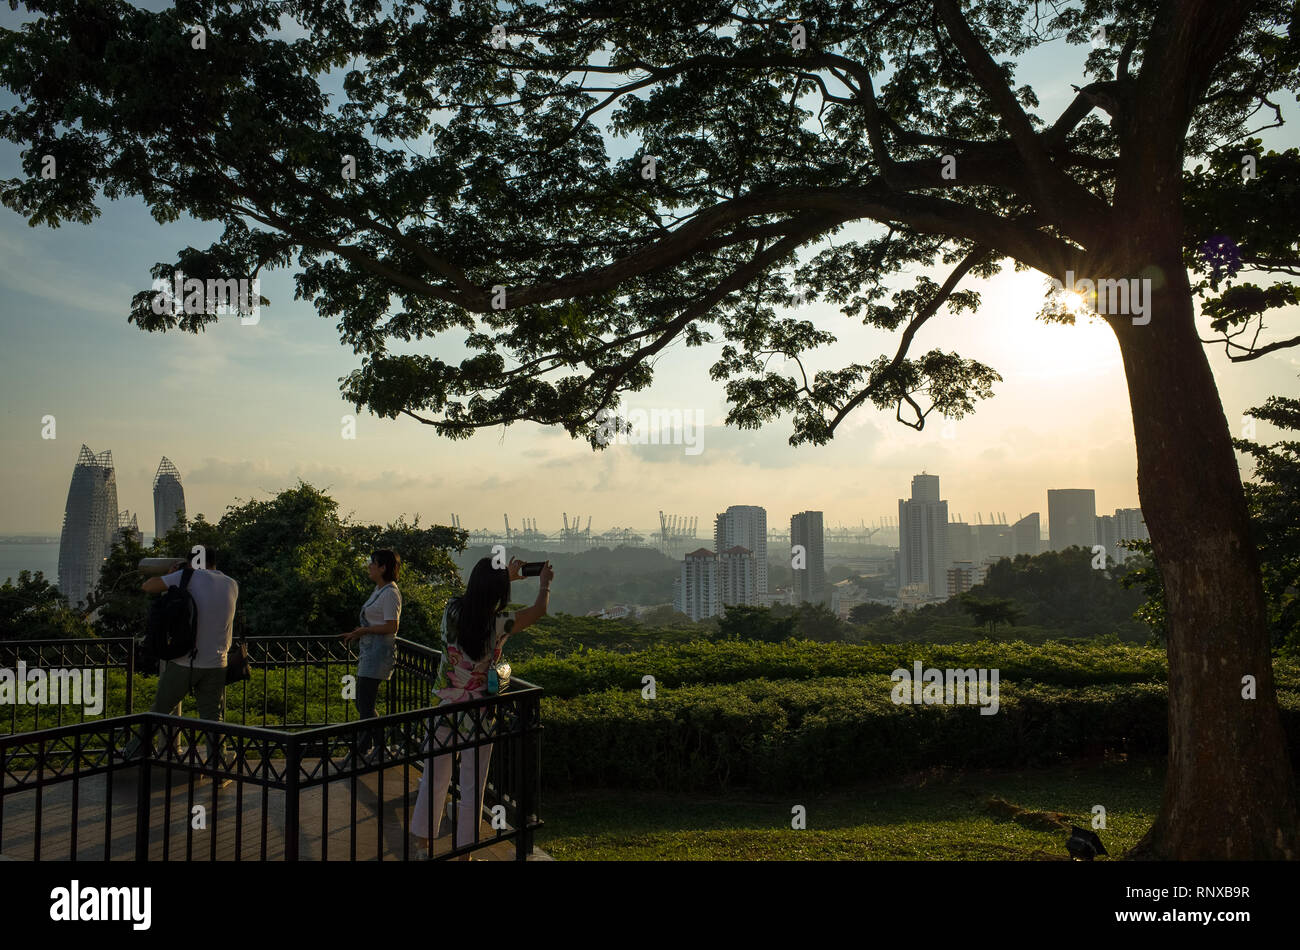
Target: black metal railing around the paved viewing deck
291 775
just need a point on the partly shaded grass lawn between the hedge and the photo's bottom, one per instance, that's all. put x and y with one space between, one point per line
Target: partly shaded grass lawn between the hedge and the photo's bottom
942 815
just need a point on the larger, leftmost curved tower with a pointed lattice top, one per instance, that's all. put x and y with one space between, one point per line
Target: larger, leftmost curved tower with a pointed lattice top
90 524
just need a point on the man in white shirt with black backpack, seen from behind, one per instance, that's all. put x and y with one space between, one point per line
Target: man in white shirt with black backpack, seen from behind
197 618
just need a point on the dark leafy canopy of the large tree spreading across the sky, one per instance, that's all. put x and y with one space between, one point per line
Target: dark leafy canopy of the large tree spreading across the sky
440 167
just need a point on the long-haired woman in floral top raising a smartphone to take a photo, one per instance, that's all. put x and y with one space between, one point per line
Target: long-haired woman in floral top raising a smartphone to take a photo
475 628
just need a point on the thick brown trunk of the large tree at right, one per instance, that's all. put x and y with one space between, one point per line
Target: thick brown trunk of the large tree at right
1229 792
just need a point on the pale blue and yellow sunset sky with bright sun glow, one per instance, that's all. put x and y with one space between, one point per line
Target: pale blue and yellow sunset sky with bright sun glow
249 410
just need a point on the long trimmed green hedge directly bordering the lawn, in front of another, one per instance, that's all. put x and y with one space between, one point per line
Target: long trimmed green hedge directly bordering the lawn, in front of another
787 736
